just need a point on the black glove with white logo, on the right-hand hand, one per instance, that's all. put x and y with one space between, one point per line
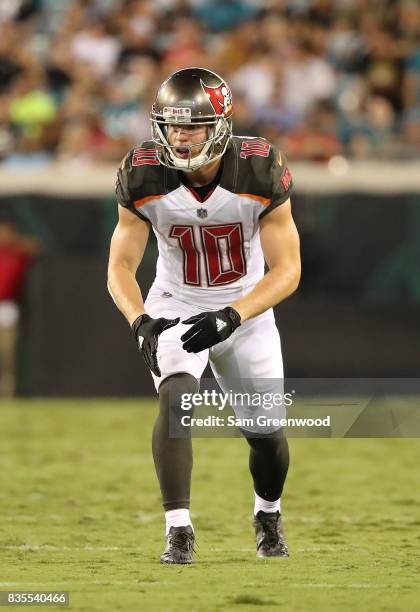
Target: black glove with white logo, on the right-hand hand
209 328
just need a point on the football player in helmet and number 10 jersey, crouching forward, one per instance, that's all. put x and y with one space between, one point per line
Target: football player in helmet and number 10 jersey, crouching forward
219 206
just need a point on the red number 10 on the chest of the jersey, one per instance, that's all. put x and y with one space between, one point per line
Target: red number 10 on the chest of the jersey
223 250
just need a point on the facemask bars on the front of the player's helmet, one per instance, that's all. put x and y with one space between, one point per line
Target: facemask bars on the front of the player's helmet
219 134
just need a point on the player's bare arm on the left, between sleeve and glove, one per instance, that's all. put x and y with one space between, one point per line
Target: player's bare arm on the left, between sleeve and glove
127 248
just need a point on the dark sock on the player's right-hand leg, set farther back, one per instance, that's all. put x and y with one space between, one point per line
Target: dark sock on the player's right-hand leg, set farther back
268 463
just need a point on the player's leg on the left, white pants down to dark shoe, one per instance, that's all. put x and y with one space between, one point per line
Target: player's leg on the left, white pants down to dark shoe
171 442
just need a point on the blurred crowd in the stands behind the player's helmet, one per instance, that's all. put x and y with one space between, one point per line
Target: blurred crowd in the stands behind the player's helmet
318 77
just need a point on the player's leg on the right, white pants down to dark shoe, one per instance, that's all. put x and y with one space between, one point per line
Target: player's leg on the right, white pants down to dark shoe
251 361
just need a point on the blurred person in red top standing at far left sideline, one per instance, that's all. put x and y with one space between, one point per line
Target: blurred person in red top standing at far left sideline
16 253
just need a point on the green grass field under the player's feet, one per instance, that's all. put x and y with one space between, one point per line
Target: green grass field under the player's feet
80 511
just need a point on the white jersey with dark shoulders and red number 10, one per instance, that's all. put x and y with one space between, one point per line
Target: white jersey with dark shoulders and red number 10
209 249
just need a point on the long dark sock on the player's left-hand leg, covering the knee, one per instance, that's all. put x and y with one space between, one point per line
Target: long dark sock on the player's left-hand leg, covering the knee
173 455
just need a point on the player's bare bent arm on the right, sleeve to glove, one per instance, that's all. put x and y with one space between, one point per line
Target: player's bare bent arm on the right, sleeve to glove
280 244
